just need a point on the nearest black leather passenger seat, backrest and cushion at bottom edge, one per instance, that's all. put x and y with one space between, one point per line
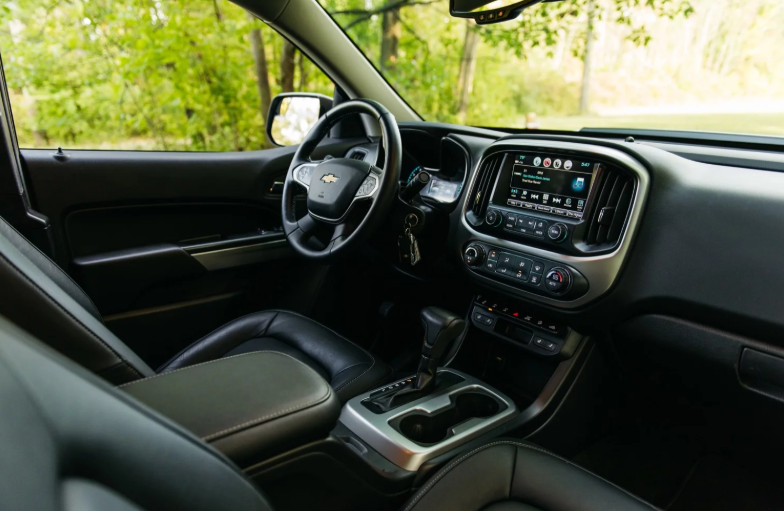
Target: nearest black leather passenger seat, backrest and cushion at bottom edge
70 441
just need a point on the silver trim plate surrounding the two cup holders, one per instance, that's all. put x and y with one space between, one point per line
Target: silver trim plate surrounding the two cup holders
375 430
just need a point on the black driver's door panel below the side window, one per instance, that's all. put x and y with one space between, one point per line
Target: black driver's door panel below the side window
171 245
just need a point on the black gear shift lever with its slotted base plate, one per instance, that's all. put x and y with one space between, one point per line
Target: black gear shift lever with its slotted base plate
441 329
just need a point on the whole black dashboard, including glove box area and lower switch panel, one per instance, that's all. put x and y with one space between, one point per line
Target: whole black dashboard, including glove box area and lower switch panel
673 255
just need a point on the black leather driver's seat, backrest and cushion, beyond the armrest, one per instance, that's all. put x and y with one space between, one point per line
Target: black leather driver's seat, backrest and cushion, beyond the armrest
38 296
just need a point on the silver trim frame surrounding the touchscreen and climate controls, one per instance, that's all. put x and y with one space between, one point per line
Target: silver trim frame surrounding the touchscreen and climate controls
601 270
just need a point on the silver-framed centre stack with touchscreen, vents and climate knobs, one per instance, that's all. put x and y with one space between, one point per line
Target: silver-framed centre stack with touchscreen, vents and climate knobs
551 221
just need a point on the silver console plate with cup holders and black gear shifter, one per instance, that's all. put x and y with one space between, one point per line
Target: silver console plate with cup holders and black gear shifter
420 417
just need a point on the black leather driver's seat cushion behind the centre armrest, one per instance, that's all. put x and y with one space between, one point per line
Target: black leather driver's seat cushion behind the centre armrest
349 369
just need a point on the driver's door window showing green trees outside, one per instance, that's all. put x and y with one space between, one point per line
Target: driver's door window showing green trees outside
172 75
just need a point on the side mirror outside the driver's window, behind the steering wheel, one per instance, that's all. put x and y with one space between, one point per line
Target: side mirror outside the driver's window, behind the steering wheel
292 114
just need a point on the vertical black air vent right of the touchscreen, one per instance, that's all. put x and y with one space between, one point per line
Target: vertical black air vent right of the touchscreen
614 193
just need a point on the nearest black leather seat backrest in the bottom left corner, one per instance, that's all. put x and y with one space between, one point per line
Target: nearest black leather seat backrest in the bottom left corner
69 441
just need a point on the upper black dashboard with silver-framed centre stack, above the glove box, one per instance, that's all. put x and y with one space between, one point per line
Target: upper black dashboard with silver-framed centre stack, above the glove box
665 227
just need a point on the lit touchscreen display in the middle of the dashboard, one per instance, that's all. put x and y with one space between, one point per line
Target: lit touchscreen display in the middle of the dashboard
548 183
